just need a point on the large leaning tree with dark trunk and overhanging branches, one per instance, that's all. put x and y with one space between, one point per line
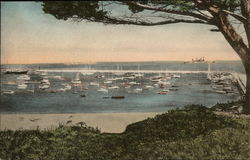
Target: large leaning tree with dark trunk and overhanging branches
223 14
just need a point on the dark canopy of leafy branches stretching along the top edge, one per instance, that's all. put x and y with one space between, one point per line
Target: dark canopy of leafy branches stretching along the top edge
99 11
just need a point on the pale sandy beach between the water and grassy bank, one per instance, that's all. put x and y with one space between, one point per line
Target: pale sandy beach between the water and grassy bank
106 122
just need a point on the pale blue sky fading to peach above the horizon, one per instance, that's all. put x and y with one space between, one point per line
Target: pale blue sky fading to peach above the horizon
30 36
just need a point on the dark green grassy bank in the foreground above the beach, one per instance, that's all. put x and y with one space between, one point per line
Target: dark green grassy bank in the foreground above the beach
191 133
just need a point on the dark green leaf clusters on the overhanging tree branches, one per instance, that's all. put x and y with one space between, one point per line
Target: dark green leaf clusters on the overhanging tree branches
93 10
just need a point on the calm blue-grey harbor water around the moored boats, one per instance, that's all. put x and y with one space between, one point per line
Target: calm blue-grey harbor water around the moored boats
192 89
